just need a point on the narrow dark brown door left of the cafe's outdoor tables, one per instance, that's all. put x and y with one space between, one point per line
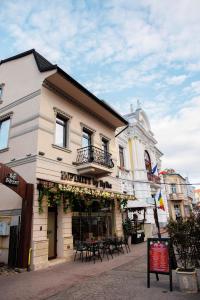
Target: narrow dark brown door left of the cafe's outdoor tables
52 232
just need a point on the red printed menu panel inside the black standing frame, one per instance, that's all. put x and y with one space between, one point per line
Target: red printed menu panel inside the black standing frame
159 256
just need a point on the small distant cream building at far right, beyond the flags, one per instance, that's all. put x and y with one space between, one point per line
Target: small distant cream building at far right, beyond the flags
178 194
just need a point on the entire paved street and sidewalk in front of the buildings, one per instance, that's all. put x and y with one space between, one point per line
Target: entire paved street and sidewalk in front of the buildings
123 277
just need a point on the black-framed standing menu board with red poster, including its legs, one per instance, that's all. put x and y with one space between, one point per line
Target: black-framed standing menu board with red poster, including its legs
158 258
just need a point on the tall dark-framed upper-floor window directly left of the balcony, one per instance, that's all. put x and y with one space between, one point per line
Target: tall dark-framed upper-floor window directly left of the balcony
61 136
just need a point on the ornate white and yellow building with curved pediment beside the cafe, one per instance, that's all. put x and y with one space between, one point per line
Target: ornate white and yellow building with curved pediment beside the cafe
137 157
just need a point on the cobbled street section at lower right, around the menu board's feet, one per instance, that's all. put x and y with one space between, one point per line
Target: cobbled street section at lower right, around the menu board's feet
125 282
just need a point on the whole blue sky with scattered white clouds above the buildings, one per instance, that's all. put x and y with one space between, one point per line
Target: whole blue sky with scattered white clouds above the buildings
123 51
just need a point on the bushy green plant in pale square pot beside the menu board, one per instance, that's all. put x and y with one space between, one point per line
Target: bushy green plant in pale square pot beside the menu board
184 236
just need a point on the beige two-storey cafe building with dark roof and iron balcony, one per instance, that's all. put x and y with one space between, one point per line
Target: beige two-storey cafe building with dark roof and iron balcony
60 137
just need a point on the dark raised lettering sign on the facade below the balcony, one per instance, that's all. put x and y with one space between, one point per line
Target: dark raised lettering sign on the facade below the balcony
85 180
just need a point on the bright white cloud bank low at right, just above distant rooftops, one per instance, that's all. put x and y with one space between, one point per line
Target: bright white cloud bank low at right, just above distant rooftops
178 139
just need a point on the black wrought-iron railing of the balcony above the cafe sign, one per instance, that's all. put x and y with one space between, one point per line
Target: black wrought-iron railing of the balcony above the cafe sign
93 154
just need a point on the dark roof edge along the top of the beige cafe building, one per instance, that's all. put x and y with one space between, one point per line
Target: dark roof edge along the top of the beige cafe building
44 65
